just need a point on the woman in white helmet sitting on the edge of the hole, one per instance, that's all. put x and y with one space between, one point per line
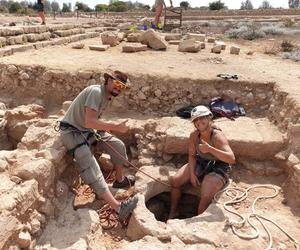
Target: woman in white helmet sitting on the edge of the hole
210 157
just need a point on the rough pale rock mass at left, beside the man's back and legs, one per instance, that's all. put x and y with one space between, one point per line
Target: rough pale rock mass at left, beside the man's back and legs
28 176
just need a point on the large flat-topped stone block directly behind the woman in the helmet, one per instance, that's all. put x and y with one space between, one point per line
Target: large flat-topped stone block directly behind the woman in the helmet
254 138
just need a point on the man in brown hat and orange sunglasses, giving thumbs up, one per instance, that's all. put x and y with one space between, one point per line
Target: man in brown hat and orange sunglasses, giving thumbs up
77 133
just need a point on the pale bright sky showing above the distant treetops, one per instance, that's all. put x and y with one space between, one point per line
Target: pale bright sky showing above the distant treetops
232 4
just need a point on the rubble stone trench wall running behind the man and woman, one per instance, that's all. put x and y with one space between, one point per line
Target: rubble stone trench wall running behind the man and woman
149 95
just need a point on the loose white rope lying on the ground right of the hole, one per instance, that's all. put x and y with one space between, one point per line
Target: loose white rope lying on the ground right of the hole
238 195
